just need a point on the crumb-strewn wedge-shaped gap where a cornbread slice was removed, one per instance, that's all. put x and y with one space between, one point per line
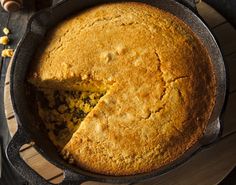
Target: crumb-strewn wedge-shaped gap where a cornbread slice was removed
63 111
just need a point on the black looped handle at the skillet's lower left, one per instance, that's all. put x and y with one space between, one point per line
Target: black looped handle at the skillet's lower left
13 156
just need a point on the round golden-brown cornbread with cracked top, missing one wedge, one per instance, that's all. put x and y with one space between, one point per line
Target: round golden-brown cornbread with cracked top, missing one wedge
155 77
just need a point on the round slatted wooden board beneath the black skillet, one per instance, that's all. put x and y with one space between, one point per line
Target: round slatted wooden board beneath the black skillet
210 165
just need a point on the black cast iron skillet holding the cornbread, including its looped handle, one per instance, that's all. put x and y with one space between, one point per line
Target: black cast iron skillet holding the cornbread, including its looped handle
28 129
